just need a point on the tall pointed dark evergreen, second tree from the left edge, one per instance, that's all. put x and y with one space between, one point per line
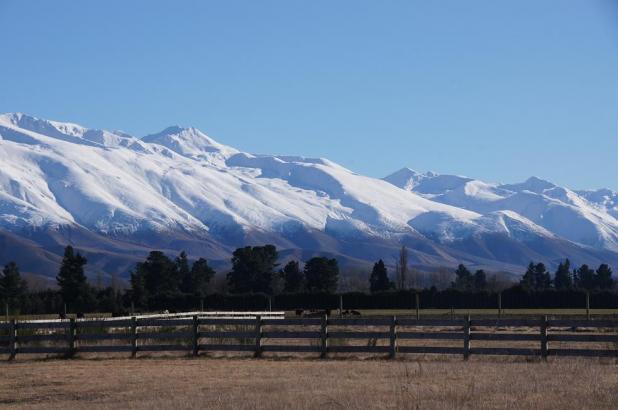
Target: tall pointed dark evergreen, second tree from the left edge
71 279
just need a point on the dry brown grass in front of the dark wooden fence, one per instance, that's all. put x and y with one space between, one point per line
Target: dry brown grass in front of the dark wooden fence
162 383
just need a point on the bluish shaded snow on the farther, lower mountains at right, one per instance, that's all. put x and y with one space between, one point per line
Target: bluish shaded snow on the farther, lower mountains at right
558 210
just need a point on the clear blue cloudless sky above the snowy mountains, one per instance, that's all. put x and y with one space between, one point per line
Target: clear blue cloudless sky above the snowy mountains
498 90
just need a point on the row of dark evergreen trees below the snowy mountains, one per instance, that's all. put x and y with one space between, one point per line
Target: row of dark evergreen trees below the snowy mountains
160 281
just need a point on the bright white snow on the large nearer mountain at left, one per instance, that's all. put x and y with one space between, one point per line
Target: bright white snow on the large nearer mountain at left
182 179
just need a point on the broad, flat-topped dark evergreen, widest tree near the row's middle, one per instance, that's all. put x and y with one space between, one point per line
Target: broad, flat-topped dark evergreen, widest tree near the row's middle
253 269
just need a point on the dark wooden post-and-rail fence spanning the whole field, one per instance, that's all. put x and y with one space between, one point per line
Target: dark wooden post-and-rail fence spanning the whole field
318 335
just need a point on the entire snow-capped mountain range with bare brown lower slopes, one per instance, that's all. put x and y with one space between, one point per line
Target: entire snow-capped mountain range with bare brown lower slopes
116 196
